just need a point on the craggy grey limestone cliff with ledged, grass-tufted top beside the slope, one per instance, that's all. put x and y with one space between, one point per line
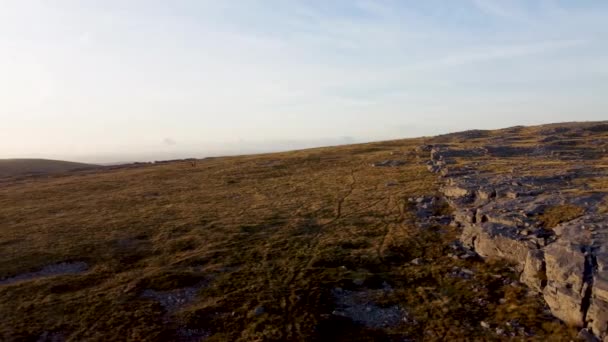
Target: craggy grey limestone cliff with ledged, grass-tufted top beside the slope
543 216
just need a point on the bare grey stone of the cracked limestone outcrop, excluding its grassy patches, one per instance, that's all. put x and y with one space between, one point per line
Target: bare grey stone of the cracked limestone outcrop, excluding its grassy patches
499 216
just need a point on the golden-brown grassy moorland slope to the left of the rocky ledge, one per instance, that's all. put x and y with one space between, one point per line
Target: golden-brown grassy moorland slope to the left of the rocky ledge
250 248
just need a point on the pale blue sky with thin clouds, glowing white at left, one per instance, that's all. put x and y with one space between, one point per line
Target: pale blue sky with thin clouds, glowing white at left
127 80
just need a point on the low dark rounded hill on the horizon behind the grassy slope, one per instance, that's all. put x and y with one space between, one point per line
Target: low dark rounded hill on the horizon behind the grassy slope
15 167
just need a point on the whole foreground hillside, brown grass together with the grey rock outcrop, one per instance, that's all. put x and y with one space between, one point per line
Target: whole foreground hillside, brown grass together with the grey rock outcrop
481 235
